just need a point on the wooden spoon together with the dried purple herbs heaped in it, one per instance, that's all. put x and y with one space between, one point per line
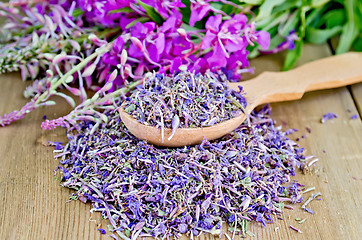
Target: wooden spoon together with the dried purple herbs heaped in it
186 108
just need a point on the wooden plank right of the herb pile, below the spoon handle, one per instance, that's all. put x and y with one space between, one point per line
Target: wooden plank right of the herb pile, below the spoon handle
337 174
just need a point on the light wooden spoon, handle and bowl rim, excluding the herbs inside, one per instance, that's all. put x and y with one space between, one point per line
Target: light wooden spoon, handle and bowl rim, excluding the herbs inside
330 72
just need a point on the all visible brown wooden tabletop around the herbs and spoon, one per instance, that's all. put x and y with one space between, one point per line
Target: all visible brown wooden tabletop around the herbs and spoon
33 205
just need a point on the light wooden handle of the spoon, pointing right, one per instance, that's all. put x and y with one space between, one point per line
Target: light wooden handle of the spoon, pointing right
331 72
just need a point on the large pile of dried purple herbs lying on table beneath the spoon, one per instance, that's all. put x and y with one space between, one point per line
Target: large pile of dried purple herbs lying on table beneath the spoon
145 190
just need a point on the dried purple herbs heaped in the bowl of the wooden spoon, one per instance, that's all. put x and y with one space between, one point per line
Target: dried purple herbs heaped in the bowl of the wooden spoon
184 100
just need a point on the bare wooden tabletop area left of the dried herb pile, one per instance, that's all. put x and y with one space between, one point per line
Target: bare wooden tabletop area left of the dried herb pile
33 204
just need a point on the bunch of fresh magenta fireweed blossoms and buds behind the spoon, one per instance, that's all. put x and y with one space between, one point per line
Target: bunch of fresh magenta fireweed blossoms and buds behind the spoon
72 31
